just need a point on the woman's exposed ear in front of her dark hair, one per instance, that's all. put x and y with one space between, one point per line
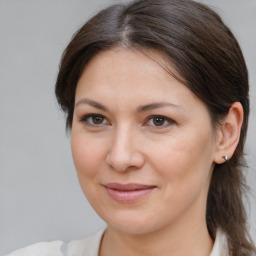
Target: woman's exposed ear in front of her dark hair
228 133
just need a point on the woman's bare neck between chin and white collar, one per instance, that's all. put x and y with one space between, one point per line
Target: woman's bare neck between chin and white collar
193 240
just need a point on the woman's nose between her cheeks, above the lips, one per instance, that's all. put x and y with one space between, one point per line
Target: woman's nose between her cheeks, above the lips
124 153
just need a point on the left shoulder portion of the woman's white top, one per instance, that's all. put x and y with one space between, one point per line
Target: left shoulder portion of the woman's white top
89 245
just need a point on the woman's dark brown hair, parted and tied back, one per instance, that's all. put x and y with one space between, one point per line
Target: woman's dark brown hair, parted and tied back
208 59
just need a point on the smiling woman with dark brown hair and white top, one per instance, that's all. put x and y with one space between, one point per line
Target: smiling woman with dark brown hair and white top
156 96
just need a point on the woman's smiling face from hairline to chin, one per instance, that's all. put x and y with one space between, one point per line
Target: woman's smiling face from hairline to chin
142 144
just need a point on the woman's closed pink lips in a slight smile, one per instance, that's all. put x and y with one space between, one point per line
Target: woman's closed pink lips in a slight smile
126 193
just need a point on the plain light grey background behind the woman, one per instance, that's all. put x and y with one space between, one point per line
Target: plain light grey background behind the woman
40 198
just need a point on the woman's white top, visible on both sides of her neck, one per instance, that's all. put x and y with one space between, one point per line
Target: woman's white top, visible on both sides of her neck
90 247
